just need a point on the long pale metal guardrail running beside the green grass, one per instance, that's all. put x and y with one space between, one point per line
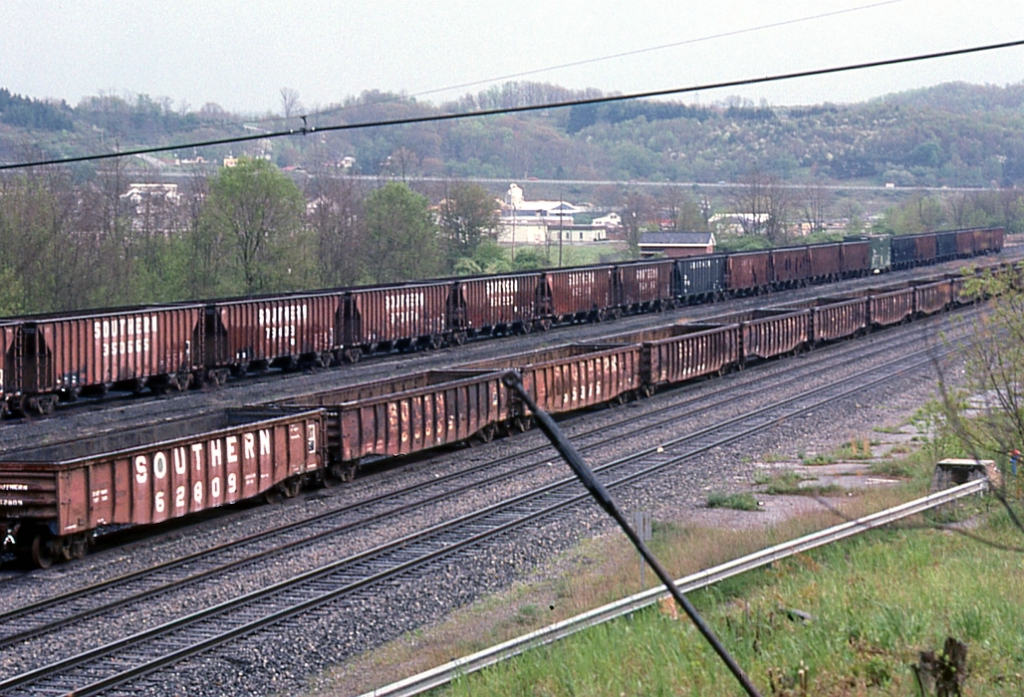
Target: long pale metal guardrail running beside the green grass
444 675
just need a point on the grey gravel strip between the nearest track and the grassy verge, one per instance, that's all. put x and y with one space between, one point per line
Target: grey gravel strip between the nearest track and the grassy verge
282 661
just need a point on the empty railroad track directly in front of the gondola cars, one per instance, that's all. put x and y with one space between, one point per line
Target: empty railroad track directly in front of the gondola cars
212 564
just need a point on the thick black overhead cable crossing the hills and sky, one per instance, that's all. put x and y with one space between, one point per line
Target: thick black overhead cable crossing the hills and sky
534 108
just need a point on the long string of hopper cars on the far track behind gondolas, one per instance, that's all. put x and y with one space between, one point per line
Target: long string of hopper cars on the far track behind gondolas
56 358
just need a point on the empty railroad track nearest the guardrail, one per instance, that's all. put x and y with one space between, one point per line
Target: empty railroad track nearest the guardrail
354 582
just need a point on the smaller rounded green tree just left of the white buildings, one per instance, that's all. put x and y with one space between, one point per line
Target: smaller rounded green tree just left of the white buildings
400 236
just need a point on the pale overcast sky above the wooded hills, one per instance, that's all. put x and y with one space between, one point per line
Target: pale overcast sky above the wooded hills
239 54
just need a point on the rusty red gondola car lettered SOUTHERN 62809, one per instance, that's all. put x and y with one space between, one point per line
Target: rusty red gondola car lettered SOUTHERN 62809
55 499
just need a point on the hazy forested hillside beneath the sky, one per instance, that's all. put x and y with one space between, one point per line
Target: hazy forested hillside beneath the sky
955 135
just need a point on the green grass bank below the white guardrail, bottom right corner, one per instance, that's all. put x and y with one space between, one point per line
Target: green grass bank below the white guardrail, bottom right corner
877 601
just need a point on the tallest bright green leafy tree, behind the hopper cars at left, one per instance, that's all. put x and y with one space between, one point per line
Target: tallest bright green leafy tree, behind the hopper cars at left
255 213
